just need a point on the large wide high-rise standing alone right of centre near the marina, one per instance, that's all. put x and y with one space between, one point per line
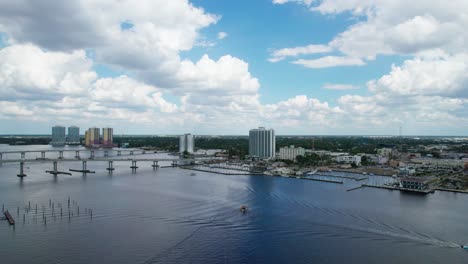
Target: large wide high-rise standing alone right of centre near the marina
262 143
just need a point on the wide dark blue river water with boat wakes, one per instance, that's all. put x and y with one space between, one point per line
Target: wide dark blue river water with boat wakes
168 215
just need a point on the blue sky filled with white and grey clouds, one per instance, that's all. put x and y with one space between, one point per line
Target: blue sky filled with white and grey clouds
222 67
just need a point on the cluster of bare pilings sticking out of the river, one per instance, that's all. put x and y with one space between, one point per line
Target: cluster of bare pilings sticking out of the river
54 211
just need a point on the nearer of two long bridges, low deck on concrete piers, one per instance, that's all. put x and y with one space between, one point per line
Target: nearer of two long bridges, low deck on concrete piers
84 162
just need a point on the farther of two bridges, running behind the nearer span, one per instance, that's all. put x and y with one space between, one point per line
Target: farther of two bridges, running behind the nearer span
92 155
